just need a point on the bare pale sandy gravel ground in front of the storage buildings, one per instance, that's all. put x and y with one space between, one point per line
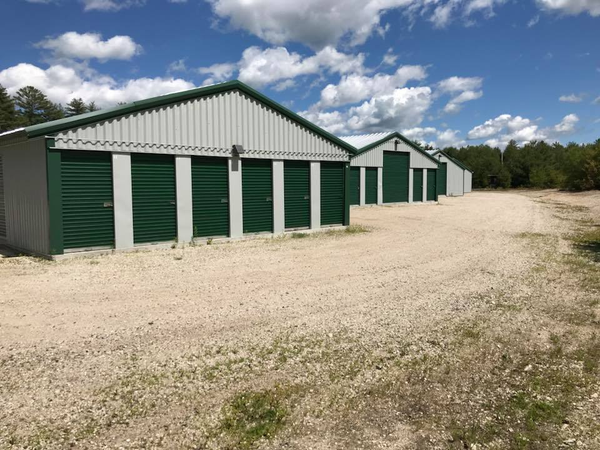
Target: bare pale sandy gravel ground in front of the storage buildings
71 328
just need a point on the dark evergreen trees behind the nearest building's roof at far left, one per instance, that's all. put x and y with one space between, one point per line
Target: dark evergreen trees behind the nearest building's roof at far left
30 106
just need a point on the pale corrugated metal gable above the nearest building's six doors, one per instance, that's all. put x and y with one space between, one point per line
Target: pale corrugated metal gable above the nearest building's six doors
206 126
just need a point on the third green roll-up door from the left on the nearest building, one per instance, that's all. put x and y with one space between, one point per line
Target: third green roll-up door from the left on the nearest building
210 196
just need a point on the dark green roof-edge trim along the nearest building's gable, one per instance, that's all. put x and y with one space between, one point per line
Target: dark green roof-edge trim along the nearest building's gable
57 126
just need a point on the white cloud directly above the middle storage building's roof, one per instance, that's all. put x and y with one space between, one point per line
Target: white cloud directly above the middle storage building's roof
402 108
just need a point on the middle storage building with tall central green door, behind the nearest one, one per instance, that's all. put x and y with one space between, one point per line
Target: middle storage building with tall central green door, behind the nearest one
389 168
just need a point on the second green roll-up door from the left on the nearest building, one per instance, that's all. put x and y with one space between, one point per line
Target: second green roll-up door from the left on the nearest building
154 198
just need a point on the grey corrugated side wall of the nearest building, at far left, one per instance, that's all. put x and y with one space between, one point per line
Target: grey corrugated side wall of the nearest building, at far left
26 196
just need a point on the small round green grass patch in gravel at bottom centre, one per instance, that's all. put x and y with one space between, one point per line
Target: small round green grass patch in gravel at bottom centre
251 417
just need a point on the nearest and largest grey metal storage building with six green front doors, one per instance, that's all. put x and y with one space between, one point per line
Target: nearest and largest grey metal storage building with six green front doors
217 161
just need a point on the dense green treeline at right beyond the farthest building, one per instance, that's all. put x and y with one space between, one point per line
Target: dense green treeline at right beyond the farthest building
534 165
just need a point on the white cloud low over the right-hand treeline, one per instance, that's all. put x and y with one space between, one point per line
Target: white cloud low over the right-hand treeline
505 128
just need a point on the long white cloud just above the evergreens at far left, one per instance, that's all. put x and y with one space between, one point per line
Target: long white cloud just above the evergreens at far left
61 84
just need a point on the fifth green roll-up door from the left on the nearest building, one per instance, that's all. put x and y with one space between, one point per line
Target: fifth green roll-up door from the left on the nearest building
296 178
